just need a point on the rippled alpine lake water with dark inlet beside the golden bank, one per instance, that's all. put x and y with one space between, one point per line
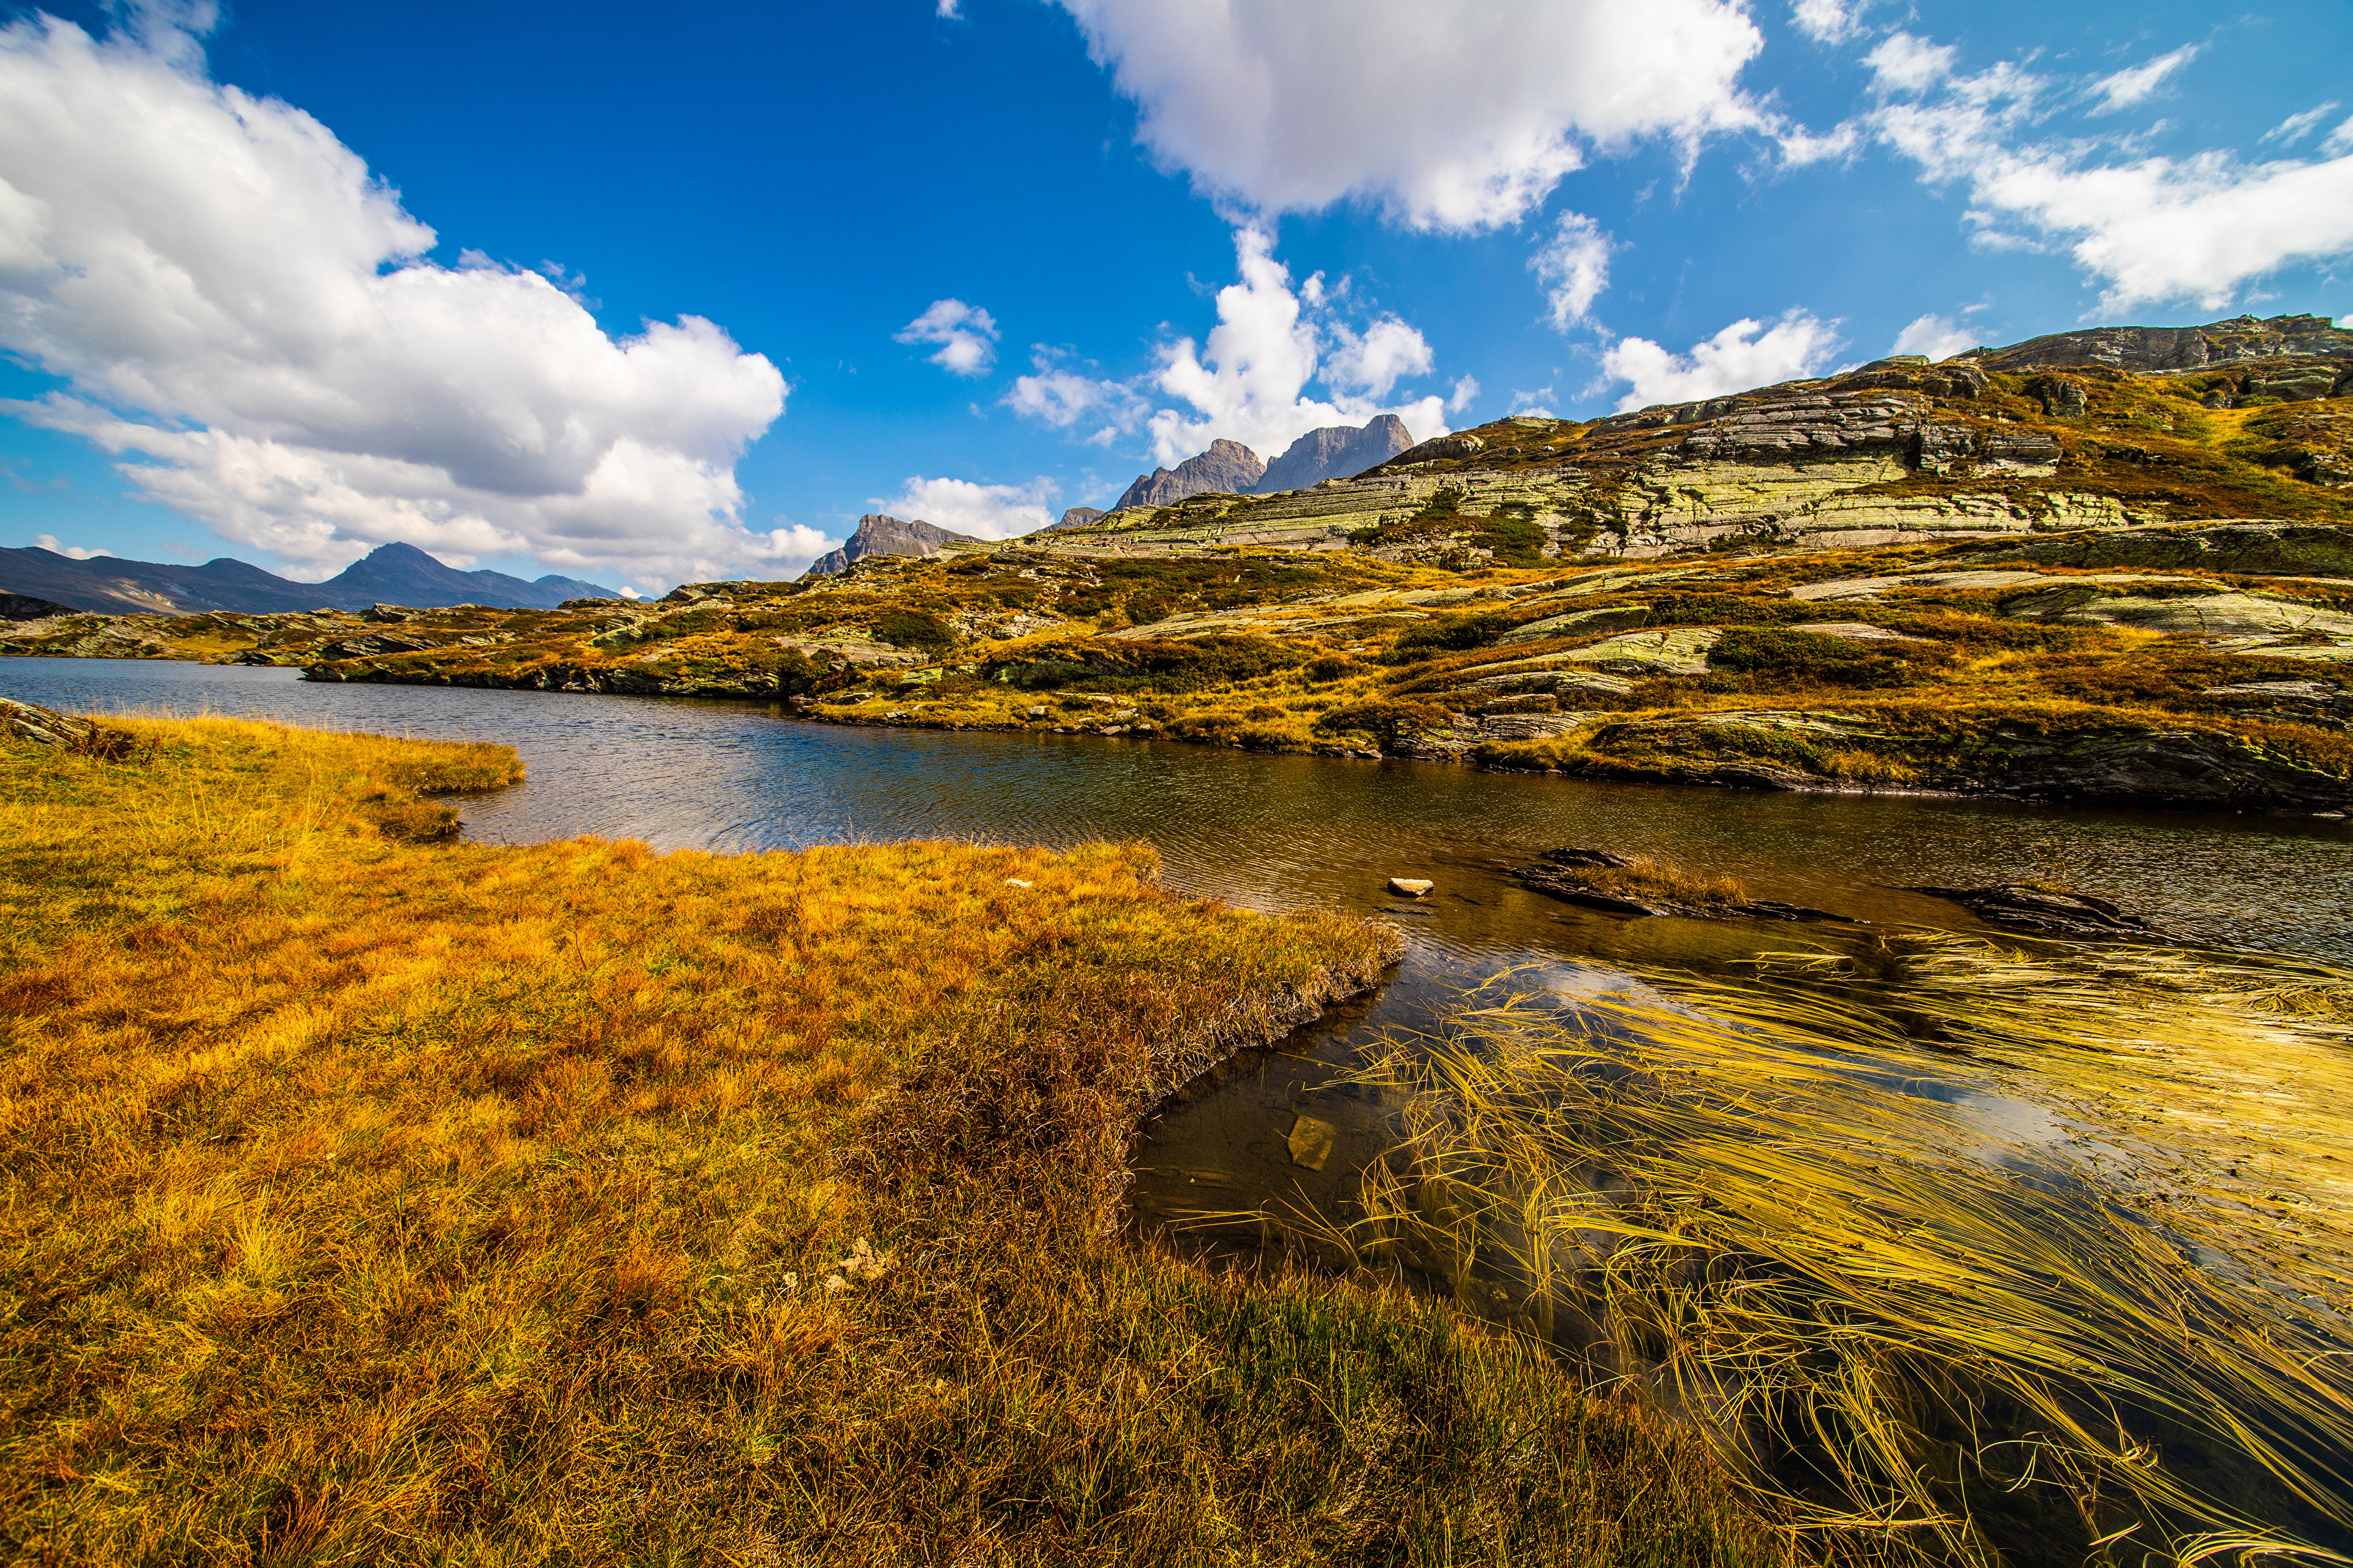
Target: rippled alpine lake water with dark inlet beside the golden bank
1269 1152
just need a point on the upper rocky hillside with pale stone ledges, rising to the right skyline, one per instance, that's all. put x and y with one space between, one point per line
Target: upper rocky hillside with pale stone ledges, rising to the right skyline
2251 425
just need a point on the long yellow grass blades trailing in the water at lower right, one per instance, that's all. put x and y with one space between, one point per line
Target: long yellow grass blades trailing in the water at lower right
2107 1324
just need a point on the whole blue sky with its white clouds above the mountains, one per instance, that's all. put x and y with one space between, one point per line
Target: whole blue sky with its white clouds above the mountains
707 284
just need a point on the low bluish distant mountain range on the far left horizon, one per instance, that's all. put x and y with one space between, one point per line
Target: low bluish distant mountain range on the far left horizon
392 576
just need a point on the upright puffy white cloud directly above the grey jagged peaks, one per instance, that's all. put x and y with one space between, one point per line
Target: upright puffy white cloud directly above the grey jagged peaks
1248 380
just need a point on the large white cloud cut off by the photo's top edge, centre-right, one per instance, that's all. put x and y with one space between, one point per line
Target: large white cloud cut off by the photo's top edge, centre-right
1448 117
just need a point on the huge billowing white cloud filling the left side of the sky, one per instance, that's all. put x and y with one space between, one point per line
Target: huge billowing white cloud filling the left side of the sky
234 298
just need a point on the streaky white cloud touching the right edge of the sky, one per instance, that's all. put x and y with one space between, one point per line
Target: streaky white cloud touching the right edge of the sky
2152 230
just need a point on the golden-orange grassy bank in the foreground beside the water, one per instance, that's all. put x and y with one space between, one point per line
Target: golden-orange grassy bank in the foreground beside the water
385 1197
